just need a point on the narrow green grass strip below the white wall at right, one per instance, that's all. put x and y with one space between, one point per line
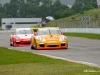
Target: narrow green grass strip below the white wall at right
85 35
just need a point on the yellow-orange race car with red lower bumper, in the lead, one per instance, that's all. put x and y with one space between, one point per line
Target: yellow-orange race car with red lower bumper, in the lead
49 38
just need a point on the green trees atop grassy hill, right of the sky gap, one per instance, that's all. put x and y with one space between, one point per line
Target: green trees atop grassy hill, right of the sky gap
83 5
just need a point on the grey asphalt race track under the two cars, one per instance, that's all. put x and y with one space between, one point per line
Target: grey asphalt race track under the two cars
80 49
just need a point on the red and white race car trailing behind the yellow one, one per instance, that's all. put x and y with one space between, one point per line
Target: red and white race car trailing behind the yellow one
21 37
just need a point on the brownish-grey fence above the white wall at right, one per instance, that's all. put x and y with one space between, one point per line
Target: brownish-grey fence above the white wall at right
94 23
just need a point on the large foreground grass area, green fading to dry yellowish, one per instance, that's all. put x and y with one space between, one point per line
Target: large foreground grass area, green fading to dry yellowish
13 62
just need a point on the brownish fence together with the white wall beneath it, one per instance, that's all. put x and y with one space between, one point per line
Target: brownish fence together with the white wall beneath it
91 26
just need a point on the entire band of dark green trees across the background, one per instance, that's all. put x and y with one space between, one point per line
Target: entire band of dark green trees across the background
43 8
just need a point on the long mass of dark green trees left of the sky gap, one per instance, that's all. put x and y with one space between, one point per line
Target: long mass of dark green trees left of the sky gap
36 8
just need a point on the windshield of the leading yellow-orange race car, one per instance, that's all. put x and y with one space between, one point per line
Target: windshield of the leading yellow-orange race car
48 31
